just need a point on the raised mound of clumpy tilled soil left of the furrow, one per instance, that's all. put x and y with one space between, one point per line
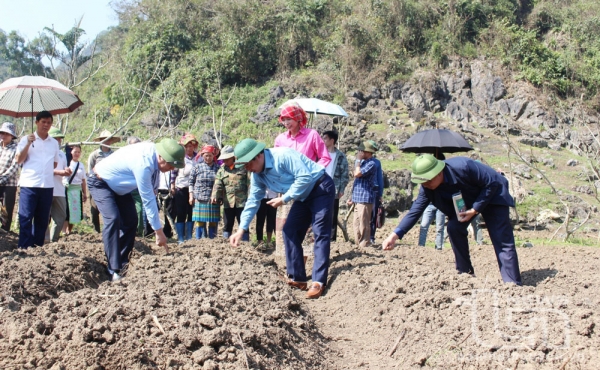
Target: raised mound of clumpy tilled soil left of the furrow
206 305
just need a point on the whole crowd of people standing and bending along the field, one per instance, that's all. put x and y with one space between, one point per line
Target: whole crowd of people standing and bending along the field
295 187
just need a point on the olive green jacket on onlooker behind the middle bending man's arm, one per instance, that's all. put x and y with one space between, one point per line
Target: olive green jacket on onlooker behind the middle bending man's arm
231 187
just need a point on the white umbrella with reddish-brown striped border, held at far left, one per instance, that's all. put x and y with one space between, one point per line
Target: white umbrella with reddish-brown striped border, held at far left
28 95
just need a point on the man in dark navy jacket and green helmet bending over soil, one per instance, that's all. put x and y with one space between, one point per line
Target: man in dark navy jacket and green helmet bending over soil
483 190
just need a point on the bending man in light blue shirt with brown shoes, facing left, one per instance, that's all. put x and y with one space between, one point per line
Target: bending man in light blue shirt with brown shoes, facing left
286 171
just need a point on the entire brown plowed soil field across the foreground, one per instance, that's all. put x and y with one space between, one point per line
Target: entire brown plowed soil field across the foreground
206 305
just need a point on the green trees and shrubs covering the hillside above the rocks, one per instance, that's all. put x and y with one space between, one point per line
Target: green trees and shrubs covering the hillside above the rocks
175 53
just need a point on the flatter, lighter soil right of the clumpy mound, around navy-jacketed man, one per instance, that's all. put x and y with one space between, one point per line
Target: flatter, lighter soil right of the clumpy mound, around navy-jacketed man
407 309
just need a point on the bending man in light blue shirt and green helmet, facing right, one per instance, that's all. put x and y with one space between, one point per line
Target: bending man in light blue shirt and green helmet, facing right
111 182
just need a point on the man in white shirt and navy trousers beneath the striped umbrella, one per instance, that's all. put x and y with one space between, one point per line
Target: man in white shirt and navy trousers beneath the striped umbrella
38 153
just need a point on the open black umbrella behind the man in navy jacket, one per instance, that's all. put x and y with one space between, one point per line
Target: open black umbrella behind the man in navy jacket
436 141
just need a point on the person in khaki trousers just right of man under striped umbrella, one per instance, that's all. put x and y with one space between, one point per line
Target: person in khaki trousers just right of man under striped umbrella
58 210
